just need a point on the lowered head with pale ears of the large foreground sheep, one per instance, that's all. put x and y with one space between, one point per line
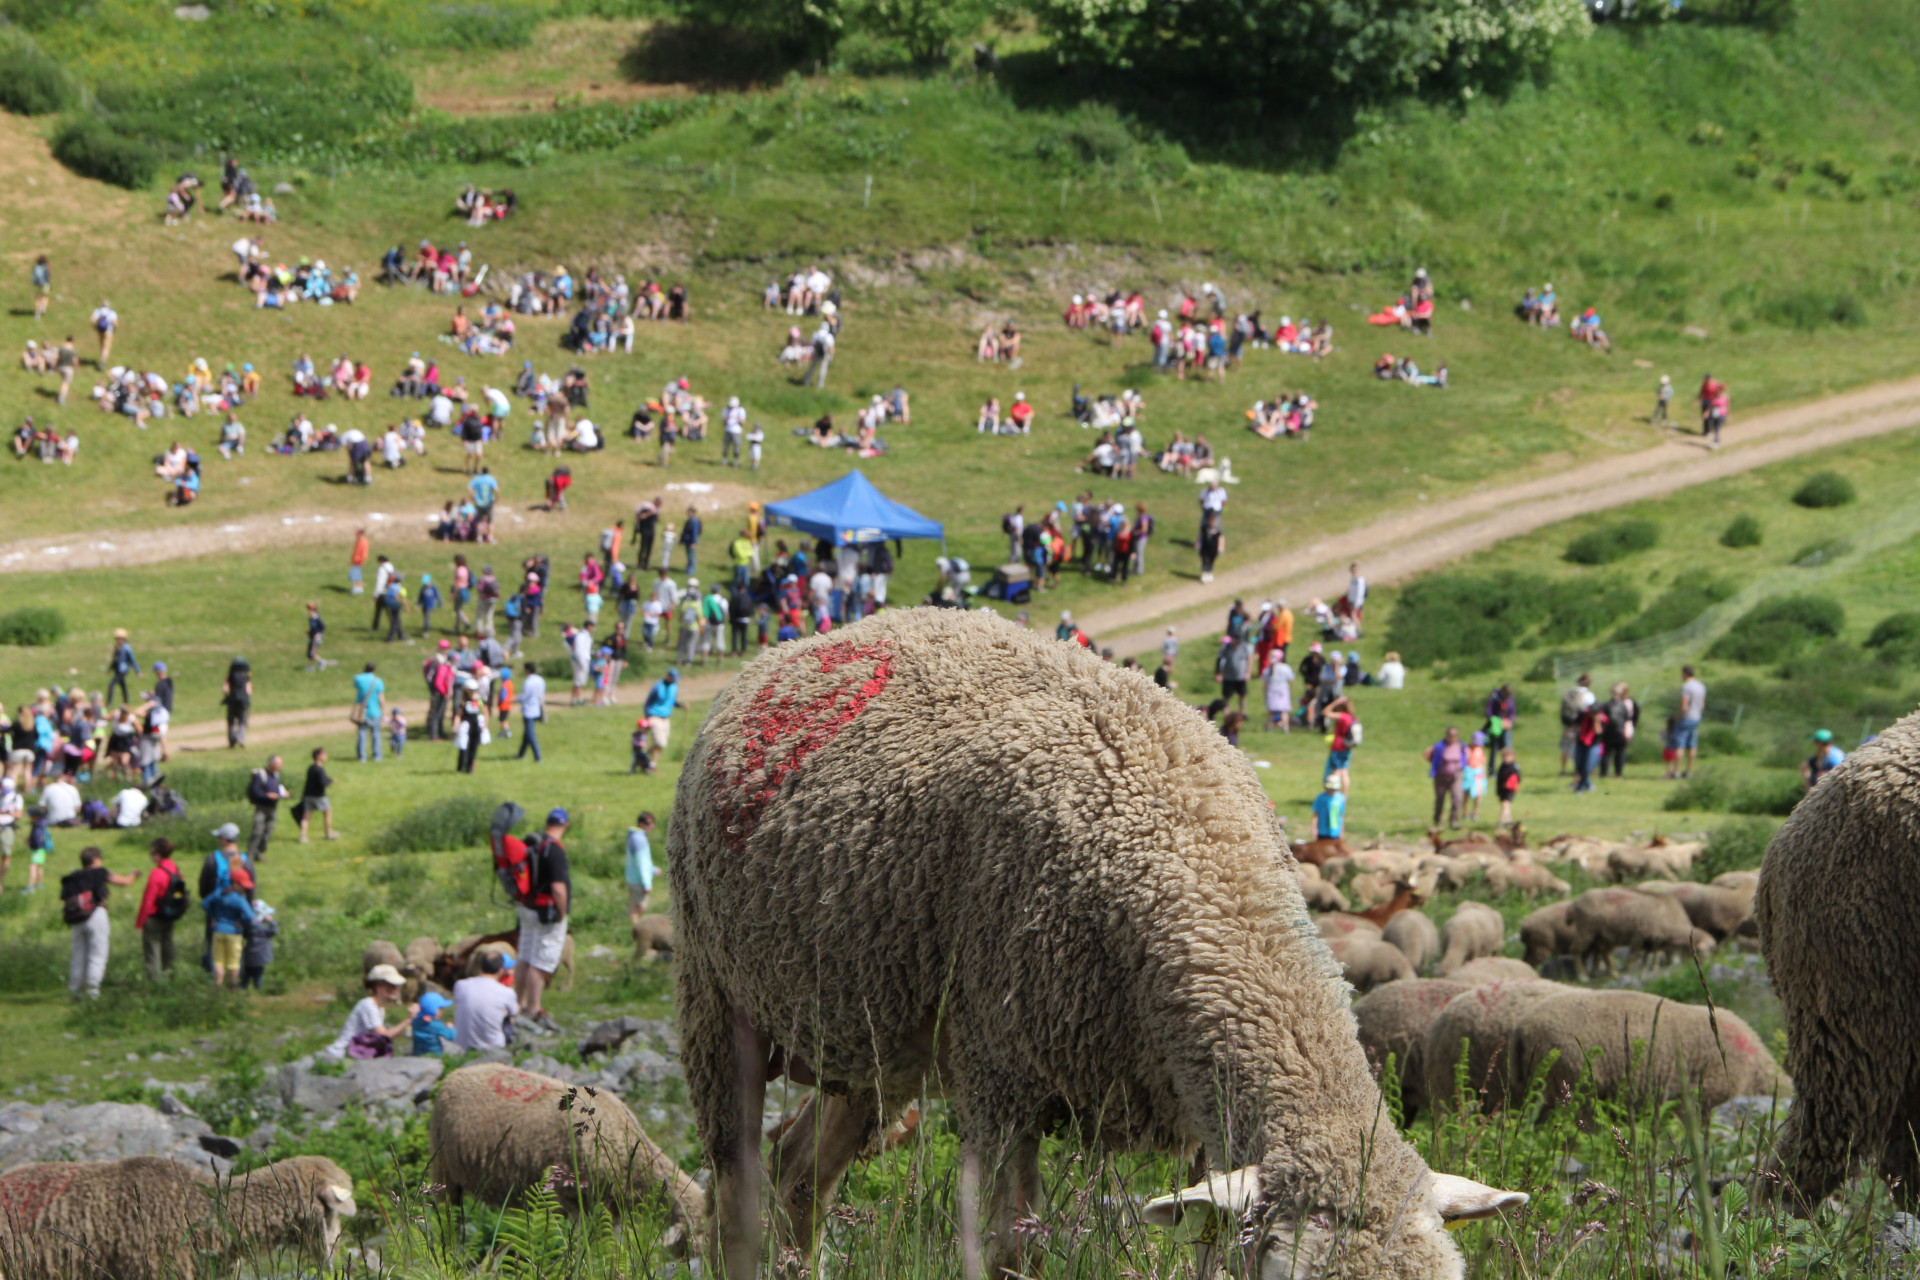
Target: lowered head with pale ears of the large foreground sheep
1228 1216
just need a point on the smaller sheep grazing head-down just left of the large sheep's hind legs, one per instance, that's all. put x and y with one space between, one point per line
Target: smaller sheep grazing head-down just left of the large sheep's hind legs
498 1129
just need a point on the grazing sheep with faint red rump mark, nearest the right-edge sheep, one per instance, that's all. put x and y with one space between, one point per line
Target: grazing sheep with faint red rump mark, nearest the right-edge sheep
1723 1056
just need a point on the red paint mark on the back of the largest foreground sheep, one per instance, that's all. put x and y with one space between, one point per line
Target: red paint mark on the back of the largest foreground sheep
780 732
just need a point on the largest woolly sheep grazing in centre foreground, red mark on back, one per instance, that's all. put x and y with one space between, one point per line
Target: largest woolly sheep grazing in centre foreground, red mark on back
1136 955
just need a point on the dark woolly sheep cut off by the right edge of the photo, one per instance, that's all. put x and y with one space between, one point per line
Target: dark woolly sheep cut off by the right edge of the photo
1840 930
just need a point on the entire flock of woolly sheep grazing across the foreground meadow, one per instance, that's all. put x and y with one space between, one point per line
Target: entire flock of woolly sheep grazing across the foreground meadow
932 855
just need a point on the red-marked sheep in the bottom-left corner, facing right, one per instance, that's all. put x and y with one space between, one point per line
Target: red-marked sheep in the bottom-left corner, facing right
147 1218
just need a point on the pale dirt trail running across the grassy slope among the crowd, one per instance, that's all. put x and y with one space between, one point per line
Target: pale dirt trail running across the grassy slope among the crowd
1393 548
